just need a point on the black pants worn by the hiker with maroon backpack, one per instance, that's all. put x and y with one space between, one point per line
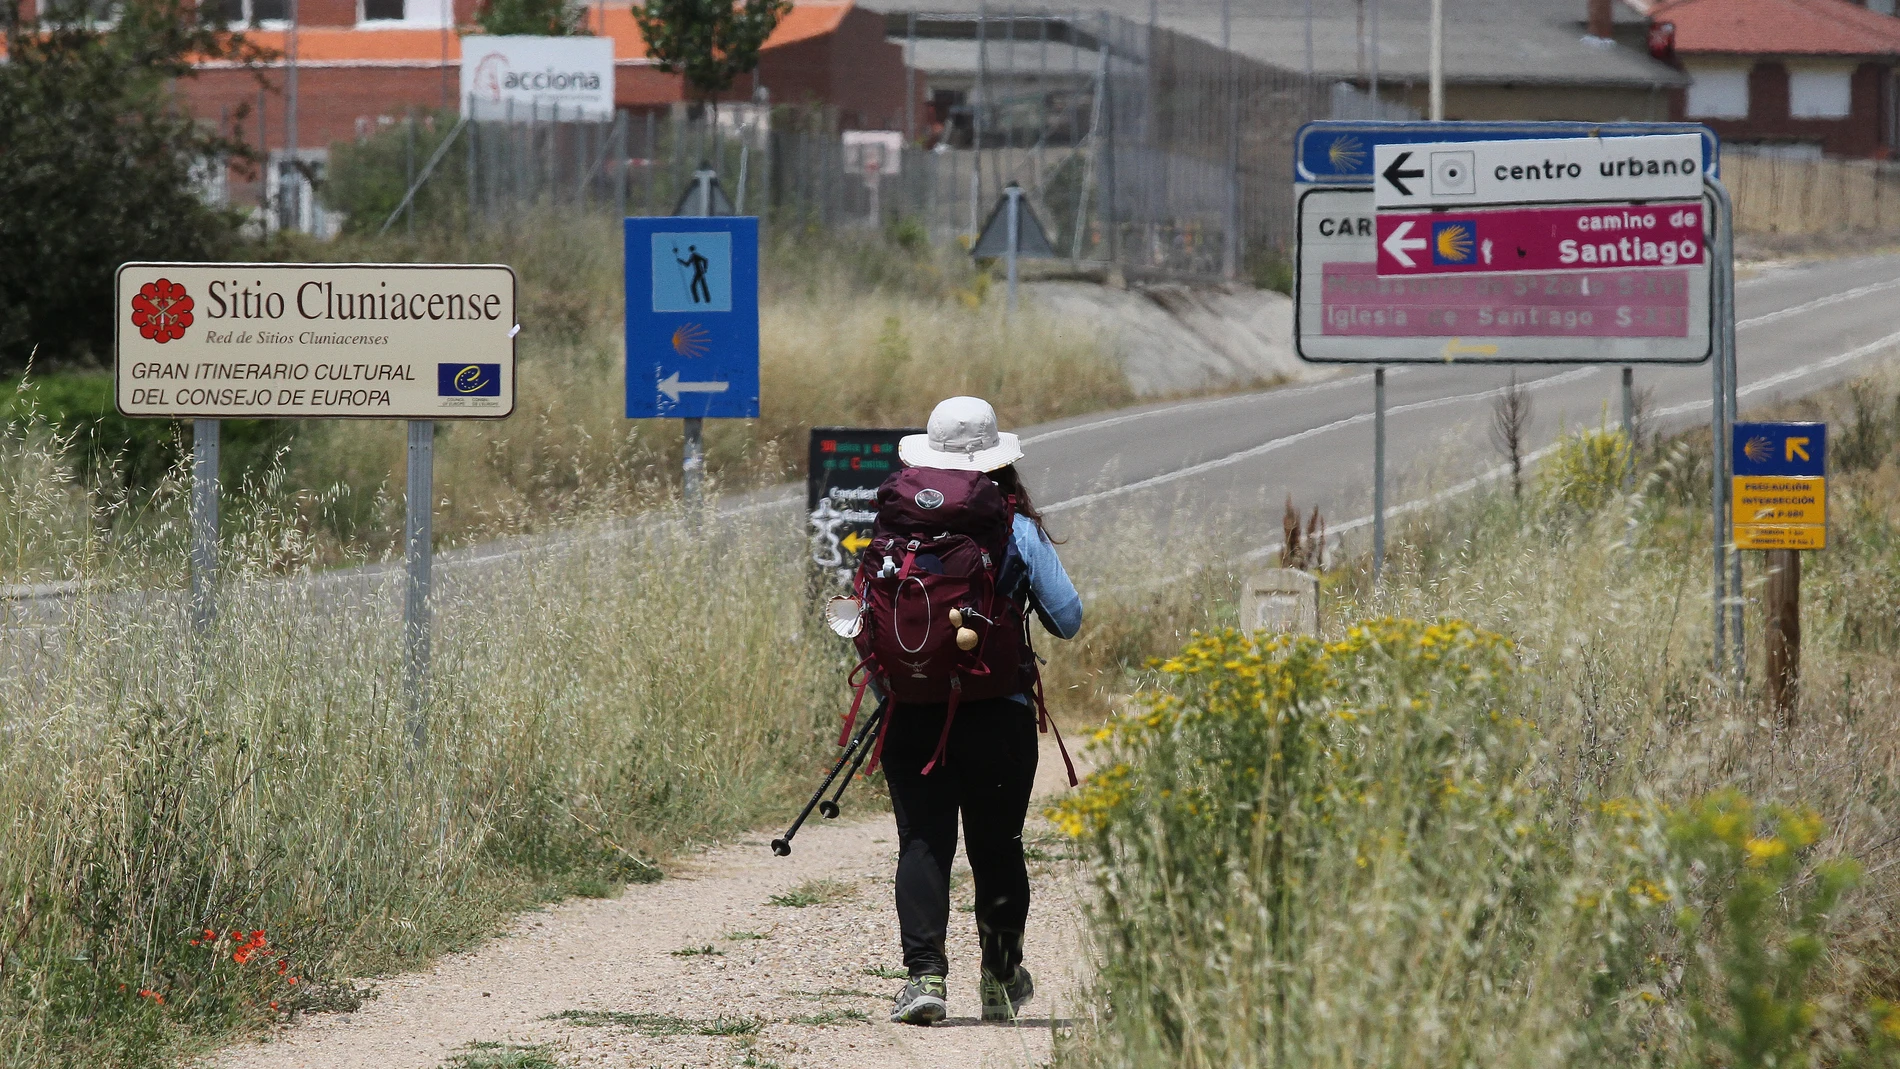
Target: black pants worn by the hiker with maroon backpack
987 774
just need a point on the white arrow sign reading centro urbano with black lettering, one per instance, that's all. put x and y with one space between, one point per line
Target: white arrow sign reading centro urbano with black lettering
1464 174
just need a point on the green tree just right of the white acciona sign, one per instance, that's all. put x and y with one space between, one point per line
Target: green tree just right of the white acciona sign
710 43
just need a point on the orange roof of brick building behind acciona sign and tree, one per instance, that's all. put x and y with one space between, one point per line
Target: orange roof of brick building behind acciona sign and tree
404 47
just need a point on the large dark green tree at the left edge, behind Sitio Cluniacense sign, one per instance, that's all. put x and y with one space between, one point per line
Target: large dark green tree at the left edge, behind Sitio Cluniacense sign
100 164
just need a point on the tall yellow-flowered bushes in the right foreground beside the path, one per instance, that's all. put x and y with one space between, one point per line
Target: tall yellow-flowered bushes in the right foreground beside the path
1354 853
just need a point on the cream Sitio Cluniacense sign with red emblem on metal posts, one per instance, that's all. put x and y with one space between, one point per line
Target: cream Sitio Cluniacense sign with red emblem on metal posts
316 341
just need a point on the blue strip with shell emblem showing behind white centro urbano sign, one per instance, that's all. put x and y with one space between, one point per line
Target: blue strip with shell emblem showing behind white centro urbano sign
1339 153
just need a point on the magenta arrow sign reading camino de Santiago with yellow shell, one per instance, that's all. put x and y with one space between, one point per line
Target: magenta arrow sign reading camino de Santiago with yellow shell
1540 238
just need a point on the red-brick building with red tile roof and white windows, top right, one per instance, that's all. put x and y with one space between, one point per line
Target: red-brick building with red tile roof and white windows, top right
1802 77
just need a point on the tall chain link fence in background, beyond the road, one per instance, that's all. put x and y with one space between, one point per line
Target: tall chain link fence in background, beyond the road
1150 151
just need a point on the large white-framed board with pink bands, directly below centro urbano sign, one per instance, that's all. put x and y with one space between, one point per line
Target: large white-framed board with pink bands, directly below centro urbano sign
1540 284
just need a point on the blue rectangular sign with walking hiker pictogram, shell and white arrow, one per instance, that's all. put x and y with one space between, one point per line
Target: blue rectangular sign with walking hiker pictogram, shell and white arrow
693 318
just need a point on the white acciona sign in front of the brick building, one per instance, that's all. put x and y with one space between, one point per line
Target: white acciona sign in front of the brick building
522 79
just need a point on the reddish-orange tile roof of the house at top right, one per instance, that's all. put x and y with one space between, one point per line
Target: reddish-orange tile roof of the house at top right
1779 28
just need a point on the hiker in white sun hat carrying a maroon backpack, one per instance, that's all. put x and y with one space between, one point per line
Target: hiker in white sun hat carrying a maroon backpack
976 753
